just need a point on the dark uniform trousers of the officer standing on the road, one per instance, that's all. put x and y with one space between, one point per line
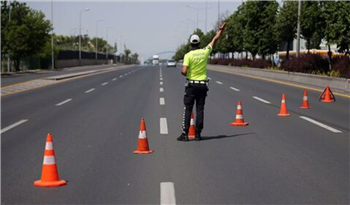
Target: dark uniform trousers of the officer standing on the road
194 93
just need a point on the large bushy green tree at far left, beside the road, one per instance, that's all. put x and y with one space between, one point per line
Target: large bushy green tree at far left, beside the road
27 32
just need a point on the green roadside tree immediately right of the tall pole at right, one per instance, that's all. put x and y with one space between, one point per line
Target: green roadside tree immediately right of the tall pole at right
312 23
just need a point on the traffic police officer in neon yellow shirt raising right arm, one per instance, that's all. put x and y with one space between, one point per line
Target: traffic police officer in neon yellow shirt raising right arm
195 69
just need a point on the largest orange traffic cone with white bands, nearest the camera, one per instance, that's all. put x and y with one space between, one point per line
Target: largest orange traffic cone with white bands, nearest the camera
49 173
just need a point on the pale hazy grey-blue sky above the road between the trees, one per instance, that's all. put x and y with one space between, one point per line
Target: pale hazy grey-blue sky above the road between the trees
146 27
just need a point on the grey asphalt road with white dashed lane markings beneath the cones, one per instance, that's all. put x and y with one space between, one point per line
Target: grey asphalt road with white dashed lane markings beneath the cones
95 124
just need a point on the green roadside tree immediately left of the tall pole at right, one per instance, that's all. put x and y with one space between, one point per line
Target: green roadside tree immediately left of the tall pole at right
287 20
